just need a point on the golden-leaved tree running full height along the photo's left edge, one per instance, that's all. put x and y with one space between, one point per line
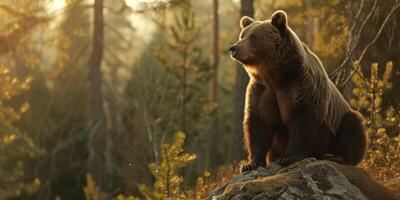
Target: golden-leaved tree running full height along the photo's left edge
17 58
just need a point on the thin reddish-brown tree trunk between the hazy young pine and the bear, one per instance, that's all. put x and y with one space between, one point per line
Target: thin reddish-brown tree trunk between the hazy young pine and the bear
213 144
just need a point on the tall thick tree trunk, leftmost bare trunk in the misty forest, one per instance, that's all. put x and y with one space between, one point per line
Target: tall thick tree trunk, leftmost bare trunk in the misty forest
97 138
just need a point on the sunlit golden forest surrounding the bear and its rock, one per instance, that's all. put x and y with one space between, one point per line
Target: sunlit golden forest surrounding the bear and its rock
140 99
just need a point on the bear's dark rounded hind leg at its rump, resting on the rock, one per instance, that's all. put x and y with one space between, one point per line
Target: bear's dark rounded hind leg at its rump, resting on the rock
351 141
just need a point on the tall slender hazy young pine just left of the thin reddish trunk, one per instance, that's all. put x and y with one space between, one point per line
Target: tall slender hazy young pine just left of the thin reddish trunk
182 58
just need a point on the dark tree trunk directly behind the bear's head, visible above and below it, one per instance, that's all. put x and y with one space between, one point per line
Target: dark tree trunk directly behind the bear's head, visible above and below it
242 79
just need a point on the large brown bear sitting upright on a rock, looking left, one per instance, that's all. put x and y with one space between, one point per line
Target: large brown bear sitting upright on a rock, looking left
292 109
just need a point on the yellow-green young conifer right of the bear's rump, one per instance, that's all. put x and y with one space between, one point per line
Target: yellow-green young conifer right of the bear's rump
382 125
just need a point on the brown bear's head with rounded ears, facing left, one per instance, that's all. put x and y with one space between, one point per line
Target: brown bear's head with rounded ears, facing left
258 40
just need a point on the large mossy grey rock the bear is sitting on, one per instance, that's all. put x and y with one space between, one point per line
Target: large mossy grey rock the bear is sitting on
306 179
